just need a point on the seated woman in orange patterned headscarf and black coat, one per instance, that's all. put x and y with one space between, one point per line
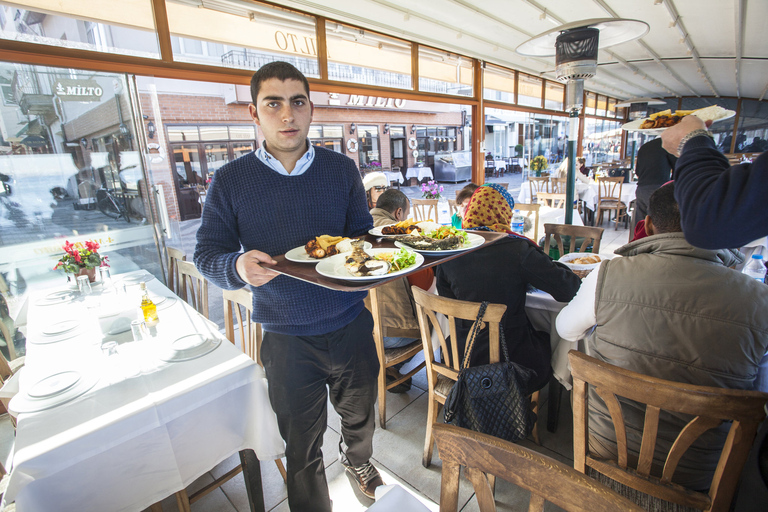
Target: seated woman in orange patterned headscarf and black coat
500 273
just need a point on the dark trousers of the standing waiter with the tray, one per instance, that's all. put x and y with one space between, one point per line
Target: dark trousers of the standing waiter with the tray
300 369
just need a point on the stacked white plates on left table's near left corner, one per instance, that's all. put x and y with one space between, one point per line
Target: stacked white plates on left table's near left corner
51 391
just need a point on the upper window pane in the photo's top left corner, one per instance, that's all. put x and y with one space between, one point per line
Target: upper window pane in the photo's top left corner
126 27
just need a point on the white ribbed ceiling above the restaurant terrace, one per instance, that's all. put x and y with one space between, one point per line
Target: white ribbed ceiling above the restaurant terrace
725 52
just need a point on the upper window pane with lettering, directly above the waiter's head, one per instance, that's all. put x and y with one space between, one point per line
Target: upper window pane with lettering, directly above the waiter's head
247 35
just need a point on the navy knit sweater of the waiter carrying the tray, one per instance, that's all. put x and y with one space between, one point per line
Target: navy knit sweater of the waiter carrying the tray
251 205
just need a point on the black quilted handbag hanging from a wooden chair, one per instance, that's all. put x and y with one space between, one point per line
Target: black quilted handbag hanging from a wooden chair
492 398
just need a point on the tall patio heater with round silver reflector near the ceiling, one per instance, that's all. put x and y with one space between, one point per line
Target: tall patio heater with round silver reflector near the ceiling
574 46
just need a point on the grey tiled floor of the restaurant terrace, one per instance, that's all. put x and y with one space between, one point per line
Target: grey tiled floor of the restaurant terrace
398 449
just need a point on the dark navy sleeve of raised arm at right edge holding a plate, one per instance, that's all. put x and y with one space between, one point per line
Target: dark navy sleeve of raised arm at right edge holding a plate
720 207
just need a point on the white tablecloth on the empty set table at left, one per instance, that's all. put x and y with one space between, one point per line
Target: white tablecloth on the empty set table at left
147 428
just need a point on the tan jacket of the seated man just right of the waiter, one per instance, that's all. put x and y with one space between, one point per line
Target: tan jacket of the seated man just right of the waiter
396 305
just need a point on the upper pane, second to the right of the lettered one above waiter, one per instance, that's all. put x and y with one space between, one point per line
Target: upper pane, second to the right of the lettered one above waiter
444 73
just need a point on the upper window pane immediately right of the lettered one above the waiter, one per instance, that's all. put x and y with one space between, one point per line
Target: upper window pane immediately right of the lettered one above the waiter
364 57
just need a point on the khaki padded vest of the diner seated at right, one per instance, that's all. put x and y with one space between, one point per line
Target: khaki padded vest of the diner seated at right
676 312
